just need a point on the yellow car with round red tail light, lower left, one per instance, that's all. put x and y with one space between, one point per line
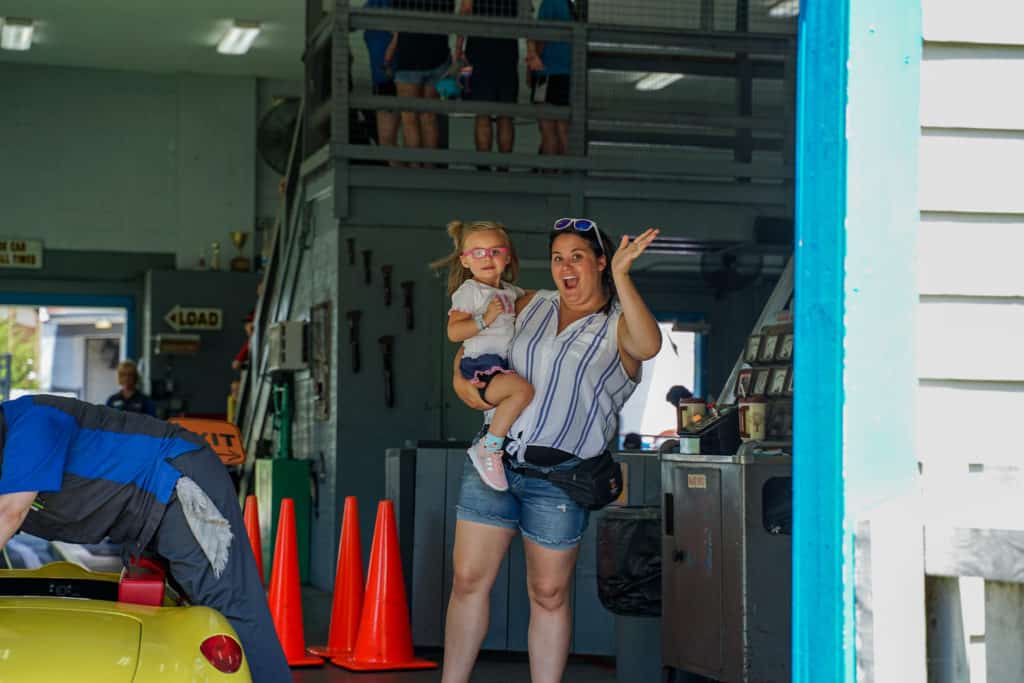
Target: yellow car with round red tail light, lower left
65 623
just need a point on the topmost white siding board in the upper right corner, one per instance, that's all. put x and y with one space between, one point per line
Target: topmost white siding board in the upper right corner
994 22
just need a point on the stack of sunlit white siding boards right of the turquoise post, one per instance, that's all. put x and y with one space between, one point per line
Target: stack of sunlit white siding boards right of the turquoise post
970 322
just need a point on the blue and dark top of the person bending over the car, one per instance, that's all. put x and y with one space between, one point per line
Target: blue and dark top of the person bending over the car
100 473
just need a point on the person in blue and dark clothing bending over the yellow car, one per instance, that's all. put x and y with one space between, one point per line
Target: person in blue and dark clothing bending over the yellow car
77 473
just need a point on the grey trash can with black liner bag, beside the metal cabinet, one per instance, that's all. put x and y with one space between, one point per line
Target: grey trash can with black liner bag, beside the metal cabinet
629 585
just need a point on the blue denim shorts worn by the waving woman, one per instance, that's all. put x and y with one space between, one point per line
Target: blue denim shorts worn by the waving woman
542 511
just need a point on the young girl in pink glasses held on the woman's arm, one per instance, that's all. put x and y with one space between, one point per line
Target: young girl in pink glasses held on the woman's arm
482 270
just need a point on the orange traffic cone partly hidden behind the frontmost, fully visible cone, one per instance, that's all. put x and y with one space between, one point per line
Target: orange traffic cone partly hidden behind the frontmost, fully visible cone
348 588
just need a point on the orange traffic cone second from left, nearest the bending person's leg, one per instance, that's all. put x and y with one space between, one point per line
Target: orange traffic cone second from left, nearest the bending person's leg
286 597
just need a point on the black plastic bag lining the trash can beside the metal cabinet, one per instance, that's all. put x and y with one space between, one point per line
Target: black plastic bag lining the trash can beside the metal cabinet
629 561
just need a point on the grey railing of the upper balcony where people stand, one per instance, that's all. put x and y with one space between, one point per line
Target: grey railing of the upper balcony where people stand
612 137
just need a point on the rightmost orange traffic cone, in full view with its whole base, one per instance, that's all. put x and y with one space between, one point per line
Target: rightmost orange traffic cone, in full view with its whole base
386 641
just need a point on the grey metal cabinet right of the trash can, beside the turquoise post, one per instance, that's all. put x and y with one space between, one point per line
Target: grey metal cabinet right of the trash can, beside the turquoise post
727 567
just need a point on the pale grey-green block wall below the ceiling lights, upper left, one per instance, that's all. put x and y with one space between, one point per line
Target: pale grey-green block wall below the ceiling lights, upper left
144 162
